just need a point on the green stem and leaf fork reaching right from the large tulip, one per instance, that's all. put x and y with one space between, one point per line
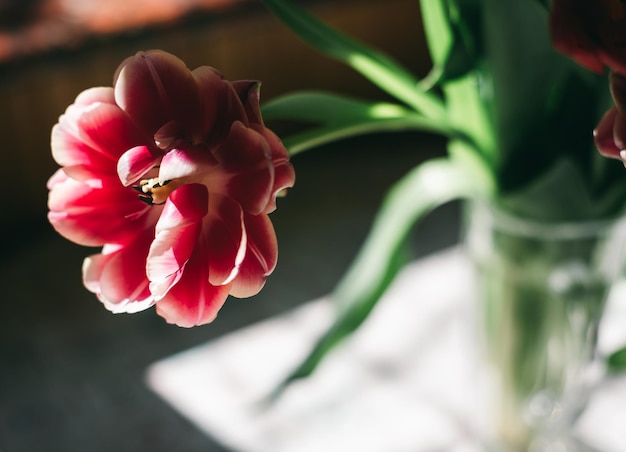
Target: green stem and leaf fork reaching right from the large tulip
335 117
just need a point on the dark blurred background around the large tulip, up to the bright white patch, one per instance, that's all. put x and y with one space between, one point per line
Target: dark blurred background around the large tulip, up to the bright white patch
72 374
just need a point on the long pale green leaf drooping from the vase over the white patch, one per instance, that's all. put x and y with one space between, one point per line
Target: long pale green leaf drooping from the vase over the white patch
426 187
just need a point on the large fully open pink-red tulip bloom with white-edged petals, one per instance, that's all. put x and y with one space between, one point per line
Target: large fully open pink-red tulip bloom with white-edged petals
174 174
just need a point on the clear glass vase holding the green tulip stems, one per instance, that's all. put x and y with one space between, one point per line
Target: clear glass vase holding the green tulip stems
542 288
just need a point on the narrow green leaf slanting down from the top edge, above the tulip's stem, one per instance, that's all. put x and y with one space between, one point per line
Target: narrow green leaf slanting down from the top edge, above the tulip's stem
380 69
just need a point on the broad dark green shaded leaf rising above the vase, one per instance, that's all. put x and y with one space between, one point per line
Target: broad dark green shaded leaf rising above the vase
545 105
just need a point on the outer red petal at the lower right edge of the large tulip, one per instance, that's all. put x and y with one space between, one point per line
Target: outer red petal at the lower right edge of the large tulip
261 256
